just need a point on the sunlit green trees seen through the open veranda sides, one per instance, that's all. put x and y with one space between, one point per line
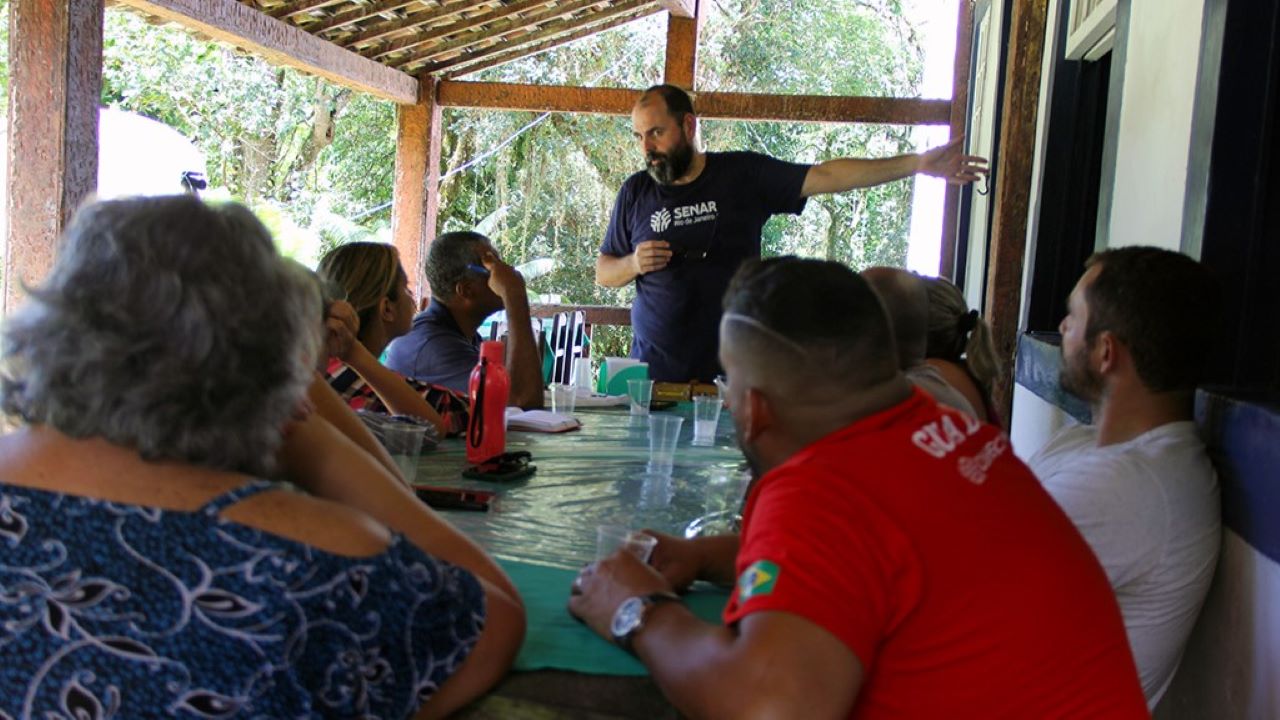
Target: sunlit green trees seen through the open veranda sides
319 161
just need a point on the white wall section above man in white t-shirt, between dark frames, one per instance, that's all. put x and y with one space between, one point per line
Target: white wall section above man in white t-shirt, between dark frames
1155 122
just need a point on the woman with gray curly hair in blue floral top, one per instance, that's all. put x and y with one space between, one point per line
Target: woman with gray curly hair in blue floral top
161 377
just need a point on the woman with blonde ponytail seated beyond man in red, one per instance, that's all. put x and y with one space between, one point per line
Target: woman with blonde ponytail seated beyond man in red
961 348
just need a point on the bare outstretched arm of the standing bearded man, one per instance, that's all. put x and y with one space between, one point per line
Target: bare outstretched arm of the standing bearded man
945 162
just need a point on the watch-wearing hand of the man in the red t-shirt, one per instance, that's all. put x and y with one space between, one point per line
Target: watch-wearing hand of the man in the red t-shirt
601 589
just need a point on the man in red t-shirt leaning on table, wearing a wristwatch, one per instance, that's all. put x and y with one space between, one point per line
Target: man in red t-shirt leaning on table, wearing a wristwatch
897 559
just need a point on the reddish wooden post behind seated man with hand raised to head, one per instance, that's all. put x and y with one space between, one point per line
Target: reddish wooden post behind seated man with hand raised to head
415 207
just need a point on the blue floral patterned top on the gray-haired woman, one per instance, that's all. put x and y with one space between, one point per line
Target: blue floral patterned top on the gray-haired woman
113 610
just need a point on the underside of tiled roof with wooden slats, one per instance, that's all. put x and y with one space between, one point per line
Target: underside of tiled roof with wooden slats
452 38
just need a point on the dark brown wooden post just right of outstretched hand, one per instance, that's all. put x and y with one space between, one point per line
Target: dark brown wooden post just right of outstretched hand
1013 186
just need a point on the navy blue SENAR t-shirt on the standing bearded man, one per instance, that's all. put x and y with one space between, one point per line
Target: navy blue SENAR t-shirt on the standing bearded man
712 225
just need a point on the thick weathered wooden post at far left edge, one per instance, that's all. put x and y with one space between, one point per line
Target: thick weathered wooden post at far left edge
56 63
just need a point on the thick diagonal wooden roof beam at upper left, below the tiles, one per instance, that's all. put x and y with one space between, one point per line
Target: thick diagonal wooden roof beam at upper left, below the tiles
284 44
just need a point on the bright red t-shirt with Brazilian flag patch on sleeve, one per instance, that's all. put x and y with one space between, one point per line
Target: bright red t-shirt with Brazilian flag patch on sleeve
918 540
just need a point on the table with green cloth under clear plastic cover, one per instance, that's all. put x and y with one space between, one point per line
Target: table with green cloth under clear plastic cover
546 527
